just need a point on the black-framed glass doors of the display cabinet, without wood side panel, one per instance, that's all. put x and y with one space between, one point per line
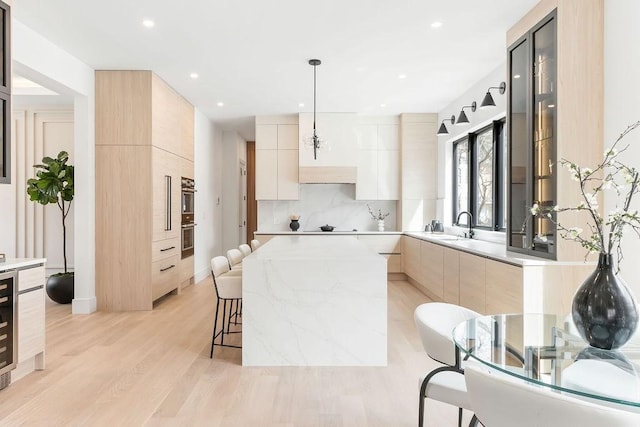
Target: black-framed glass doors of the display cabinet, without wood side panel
531 113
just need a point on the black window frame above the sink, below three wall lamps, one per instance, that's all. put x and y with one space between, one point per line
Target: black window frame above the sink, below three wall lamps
498 179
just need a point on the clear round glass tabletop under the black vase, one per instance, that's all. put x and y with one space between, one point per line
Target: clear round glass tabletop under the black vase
537 348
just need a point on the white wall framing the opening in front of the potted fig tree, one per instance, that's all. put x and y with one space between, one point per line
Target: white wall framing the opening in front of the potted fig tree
39 60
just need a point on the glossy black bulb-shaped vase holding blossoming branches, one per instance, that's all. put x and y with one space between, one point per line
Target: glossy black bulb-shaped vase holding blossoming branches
604 309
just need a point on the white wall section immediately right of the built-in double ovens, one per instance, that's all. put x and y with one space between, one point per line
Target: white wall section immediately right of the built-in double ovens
208 176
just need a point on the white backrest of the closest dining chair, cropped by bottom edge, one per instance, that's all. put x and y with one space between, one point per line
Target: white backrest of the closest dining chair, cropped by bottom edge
499 400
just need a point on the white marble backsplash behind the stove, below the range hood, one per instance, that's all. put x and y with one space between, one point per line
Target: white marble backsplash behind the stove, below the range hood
321 204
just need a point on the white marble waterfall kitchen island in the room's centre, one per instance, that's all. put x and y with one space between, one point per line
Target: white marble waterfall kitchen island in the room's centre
312 301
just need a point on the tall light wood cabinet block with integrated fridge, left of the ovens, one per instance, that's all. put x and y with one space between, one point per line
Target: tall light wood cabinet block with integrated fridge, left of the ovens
144 145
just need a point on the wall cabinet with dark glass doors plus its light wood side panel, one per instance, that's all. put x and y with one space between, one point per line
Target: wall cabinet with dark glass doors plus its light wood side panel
555 111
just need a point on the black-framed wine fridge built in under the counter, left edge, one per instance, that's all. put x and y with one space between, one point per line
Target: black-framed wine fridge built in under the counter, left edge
8 325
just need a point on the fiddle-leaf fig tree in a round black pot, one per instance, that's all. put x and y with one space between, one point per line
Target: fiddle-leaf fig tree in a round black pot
54 184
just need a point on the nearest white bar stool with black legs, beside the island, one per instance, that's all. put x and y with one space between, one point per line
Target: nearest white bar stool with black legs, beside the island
228 287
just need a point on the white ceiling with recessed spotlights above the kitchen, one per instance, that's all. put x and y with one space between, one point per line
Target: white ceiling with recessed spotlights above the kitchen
252 55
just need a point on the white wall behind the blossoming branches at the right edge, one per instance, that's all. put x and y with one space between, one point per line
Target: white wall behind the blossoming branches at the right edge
622 106
